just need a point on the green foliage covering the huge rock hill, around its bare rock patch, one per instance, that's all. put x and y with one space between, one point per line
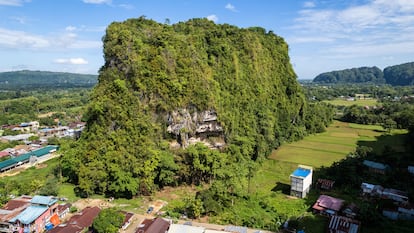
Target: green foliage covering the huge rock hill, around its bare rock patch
151 69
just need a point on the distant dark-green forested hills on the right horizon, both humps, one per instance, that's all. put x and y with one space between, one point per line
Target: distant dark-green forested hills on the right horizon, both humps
398 75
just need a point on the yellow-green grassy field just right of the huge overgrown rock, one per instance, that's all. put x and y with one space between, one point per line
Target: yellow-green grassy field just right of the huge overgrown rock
325 148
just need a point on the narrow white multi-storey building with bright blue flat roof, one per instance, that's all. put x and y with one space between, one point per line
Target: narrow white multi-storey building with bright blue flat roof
300 181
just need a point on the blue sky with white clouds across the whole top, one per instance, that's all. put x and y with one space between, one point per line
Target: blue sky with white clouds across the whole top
323 35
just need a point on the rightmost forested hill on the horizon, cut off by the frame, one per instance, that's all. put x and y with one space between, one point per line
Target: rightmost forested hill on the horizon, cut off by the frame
400 75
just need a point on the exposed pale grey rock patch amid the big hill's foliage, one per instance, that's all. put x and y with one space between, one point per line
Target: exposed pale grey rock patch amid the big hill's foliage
189 124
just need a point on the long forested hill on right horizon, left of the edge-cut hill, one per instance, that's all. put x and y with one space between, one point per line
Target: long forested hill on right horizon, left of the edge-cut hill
354 75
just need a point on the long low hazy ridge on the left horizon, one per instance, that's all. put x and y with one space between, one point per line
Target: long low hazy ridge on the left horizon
26 79
